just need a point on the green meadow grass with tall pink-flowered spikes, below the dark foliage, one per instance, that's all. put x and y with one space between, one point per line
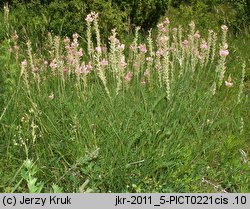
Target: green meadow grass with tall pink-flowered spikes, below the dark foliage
168 112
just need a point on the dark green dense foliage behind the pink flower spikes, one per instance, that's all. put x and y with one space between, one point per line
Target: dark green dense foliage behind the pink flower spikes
67 16
